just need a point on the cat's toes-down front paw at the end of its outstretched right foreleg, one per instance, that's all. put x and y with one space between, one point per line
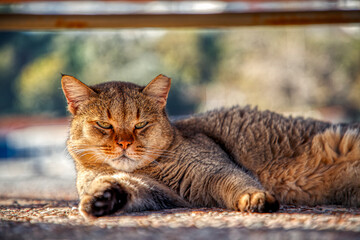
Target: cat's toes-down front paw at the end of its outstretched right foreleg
258 202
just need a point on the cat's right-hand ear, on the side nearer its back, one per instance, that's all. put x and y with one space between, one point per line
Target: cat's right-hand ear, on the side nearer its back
159 89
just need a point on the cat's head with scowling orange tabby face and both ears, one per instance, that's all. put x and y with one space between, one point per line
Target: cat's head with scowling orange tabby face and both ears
118 123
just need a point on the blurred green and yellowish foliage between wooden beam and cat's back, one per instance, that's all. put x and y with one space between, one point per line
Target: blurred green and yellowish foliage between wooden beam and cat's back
276 68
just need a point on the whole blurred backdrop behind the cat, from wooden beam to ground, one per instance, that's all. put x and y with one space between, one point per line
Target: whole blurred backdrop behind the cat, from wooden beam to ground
312 71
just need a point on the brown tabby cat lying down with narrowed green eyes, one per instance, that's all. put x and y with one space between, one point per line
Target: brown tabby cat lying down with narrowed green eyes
130 157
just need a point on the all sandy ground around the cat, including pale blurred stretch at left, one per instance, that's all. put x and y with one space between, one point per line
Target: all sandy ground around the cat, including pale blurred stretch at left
41 203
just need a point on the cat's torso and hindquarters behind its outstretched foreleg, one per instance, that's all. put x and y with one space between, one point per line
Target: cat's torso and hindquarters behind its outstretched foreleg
300 161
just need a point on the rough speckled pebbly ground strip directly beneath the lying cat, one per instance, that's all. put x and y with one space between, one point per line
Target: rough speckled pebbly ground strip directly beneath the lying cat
60 219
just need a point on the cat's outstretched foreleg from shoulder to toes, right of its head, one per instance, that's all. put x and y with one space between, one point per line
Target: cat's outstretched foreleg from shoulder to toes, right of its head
210 178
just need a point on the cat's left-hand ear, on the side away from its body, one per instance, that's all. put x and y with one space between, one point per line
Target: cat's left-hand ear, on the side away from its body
75 92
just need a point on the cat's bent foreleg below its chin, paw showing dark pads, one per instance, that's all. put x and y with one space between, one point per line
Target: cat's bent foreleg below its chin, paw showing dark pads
126 192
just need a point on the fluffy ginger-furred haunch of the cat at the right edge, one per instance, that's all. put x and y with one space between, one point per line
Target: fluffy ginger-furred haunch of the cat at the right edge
340 162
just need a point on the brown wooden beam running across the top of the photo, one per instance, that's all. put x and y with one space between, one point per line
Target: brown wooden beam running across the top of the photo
216 20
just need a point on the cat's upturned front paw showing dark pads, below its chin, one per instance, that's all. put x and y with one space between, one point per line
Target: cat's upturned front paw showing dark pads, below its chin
106 200
